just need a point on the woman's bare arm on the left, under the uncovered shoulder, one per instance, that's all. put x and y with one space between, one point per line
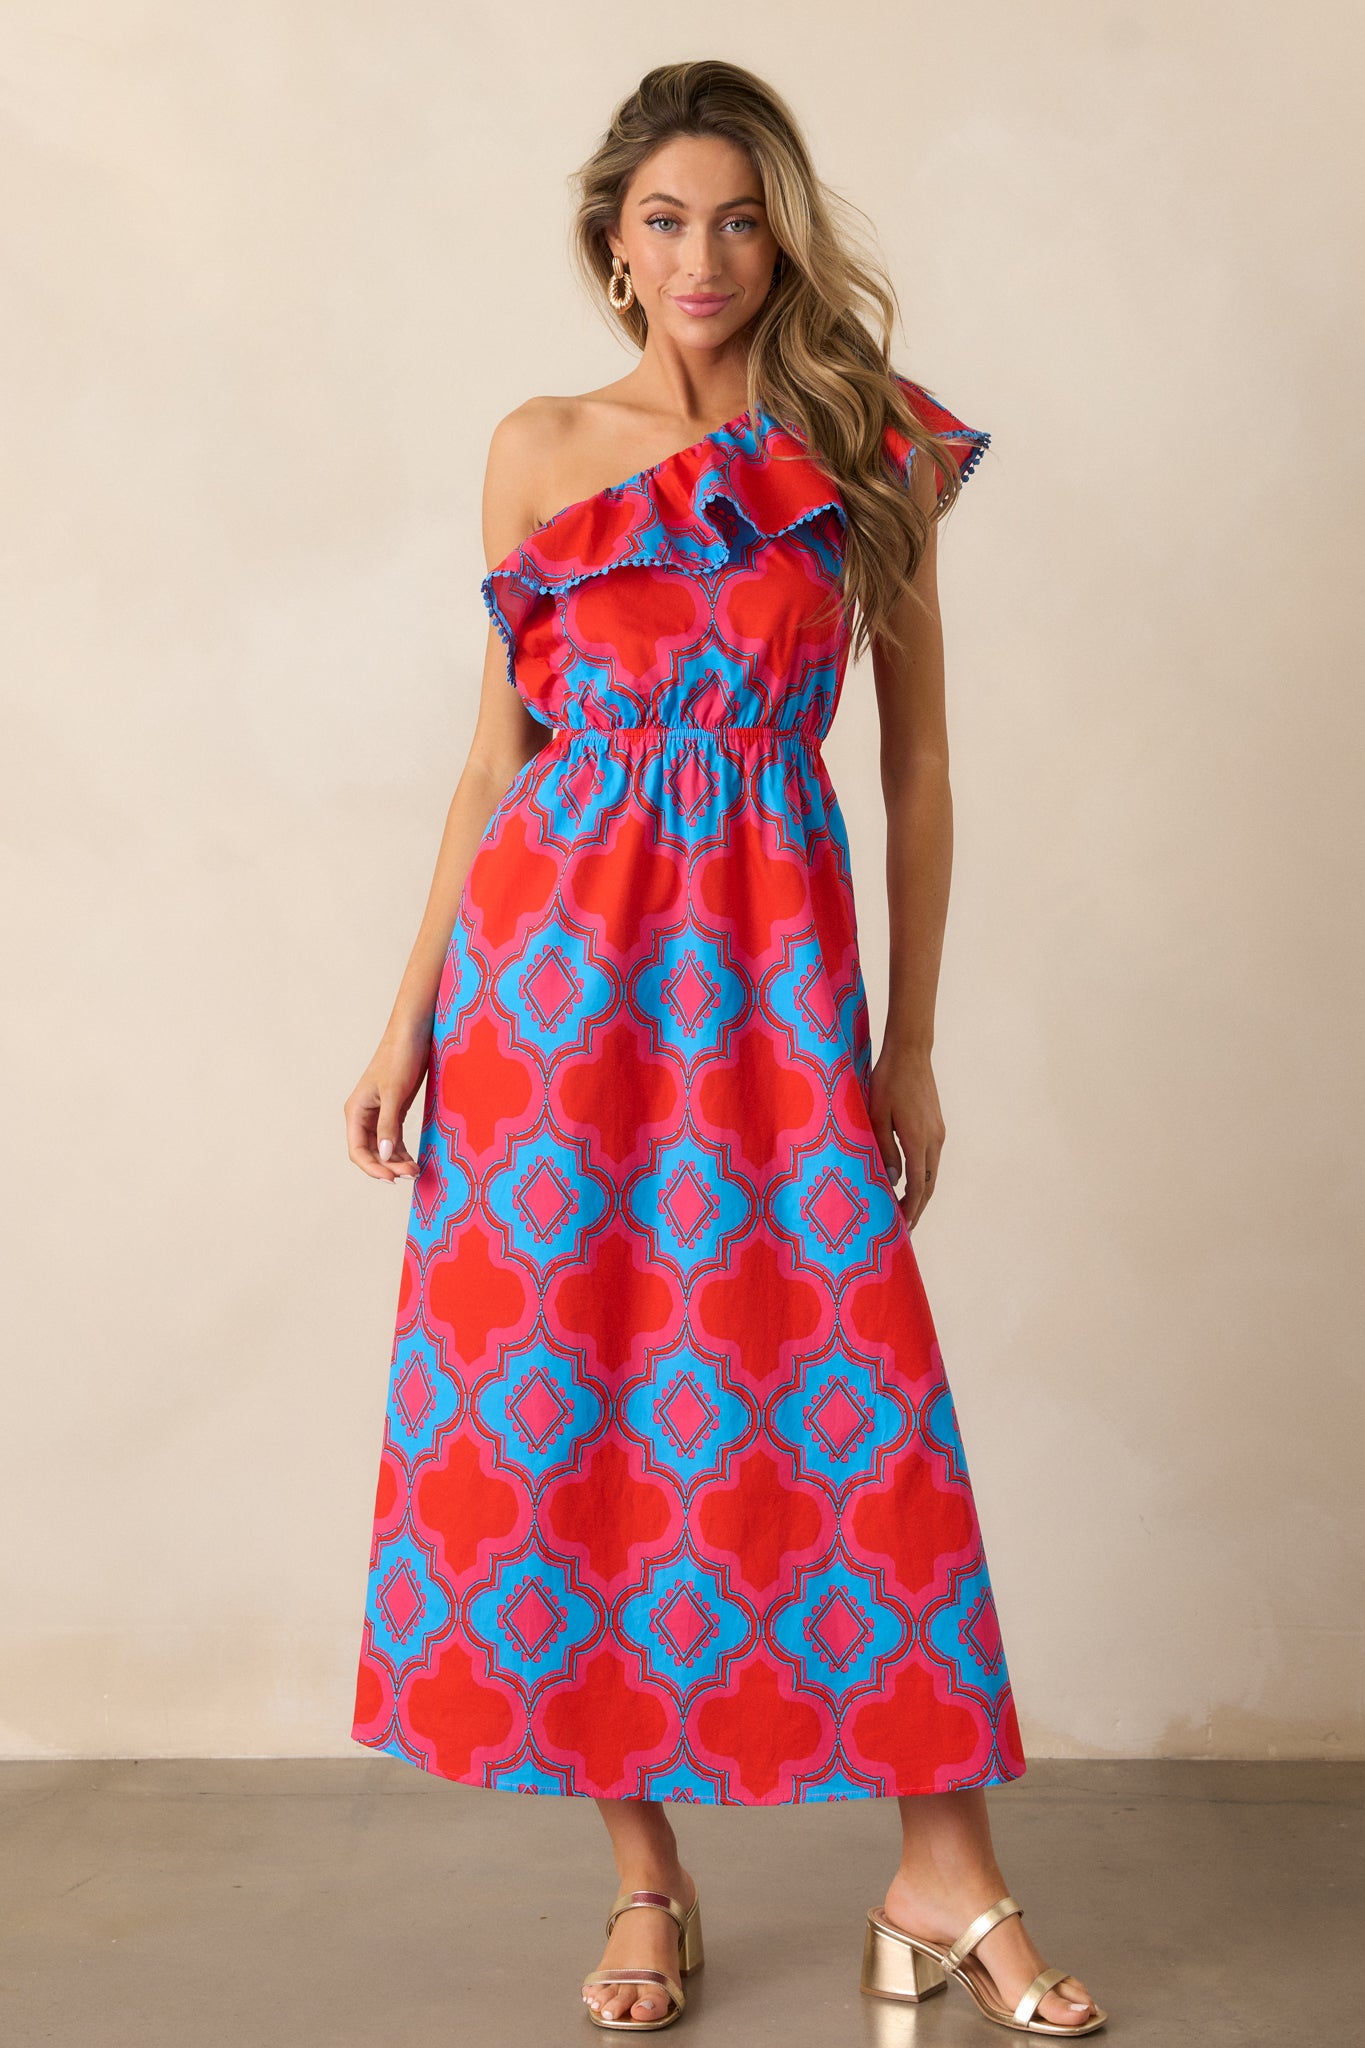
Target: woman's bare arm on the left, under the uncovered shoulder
504 740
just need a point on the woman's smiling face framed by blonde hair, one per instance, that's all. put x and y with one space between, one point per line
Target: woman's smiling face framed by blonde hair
697 241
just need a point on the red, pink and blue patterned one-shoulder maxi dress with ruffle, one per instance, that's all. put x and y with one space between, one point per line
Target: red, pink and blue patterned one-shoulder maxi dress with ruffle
672 1498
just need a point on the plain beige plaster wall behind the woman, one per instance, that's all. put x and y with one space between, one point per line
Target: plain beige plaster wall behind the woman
271 275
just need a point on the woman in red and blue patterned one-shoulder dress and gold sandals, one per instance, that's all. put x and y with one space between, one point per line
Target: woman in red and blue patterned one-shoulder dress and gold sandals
672 1498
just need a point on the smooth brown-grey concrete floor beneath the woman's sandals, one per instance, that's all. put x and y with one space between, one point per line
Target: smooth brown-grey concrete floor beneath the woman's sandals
335 1902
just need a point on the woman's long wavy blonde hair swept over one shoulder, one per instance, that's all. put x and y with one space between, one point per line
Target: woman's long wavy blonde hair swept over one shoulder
820 357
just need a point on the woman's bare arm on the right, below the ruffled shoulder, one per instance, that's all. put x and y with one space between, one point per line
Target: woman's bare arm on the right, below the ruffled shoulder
920 837
